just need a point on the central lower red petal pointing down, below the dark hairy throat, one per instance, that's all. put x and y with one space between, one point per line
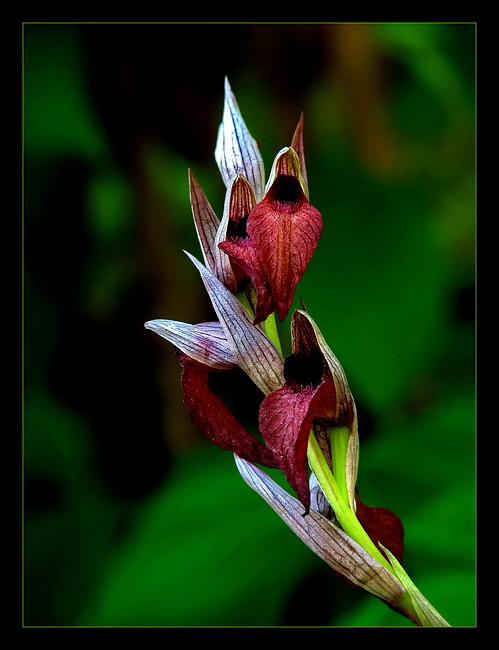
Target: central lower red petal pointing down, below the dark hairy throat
286 417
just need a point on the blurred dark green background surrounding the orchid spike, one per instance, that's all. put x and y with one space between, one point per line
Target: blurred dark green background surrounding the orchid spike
131 518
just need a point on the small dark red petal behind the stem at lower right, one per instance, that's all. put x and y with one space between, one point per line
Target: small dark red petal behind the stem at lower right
382 526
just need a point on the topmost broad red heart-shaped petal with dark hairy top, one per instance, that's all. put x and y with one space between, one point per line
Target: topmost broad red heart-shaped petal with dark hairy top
285 234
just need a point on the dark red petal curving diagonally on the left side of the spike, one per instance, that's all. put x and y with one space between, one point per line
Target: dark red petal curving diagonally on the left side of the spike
210 415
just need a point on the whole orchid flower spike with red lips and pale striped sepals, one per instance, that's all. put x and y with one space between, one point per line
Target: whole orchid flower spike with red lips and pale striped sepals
254 258
